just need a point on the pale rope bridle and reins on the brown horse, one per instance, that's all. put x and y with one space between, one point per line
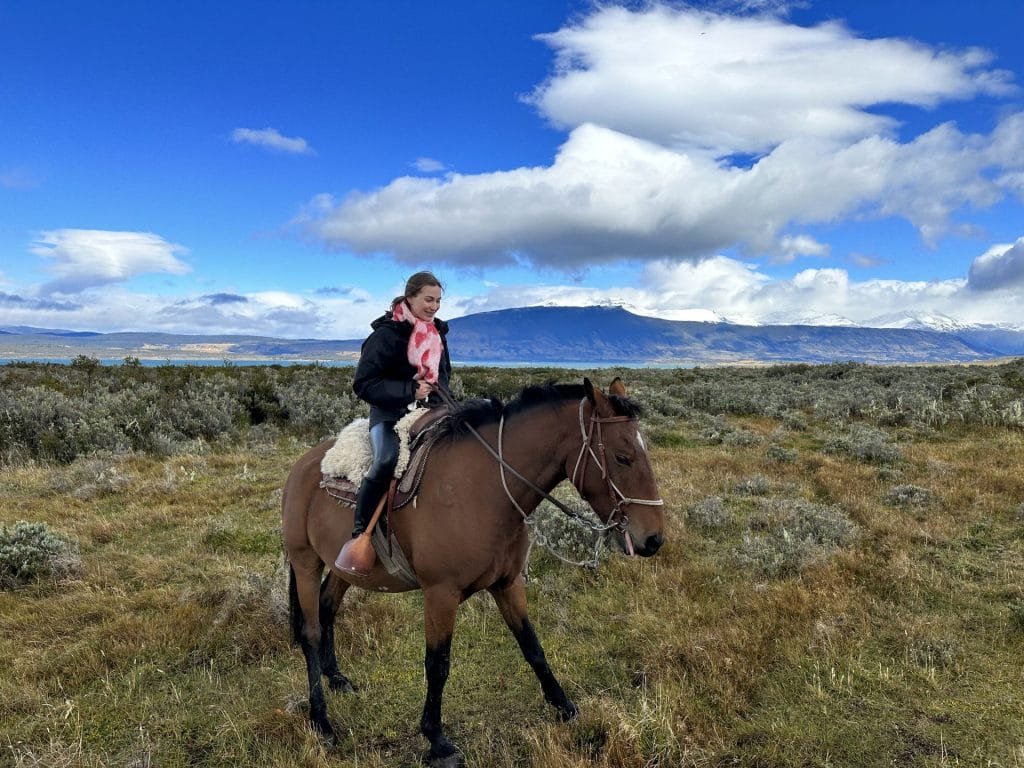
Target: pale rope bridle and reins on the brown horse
618 521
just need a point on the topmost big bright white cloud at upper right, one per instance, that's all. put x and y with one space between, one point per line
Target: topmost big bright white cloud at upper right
690 79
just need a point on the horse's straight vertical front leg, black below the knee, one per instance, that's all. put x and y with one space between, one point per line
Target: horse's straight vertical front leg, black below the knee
440 607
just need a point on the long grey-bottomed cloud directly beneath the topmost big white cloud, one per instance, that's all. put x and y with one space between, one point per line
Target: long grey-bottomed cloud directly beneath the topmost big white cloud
610 197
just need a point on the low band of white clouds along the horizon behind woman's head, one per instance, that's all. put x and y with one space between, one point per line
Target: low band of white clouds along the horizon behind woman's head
718 288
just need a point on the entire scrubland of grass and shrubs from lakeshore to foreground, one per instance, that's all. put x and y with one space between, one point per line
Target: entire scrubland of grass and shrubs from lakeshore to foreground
843 583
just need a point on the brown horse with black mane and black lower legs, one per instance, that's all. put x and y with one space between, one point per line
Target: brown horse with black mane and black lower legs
466 532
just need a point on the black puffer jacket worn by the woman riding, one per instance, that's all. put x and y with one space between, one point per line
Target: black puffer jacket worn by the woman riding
385 375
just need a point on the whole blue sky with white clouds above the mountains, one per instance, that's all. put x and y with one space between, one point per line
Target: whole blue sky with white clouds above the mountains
279 168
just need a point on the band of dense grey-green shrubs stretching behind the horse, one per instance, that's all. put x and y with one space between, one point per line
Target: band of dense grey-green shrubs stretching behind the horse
55 413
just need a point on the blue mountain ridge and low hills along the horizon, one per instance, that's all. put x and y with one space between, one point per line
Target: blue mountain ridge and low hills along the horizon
590 335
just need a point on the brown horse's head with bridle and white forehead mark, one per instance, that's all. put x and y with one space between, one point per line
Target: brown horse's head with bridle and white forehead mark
613 470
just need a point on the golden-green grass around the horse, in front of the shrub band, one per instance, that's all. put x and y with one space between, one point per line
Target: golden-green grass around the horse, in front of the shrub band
902 646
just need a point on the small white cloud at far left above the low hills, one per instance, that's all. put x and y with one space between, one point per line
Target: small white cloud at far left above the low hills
87 259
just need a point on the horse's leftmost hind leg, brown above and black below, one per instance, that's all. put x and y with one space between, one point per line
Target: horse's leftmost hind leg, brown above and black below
305 583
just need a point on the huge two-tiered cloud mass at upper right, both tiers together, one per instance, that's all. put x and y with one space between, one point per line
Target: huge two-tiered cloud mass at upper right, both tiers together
659 103
